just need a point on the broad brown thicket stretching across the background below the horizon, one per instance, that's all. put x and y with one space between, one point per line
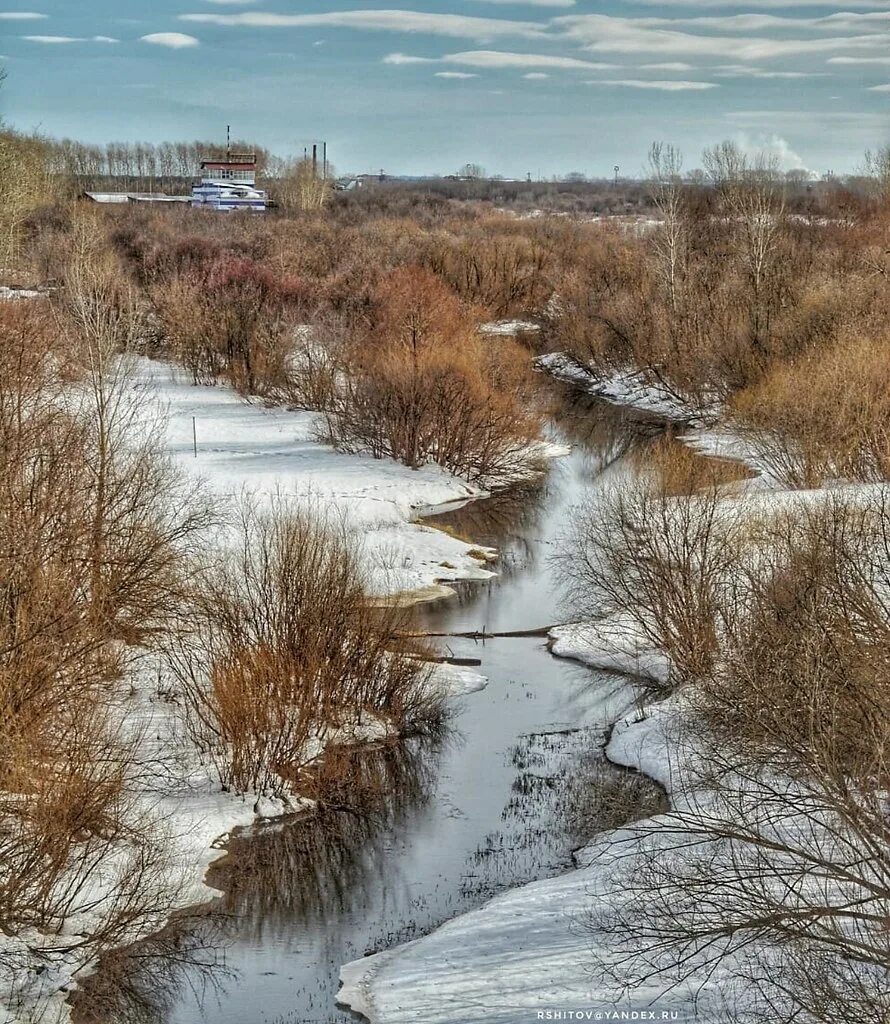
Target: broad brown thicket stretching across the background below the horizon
742 275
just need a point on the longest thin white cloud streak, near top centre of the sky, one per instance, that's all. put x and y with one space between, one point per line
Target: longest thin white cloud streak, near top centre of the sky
456 26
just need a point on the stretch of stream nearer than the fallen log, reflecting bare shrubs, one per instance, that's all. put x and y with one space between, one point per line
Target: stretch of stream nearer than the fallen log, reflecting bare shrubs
421 832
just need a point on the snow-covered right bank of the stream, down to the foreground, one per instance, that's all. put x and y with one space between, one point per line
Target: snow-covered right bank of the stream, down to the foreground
563 946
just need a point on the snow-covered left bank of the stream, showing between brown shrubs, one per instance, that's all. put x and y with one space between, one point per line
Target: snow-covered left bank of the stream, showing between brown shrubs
236 448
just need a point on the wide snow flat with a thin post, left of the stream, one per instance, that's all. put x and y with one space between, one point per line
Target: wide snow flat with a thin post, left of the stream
246 447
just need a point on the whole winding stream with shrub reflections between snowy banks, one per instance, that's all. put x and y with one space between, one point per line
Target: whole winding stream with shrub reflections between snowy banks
428 829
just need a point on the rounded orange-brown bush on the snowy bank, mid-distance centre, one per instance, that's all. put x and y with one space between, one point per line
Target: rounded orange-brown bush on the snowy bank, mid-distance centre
421 386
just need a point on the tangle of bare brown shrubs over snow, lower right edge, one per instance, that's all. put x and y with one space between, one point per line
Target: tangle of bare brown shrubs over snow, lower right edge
775 865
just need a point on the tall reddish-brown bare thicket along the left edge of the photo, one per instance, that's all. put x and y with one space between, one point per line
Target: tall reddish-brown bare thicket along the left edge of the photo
76 568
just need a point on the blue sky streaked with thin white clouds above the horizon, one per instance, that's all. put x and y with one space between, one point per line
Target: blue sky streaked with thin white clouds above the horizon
546 87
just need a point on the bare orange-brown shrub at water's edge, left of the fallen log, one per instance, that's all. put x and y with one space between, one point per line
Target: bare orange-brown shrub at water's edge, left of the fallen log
281 645
